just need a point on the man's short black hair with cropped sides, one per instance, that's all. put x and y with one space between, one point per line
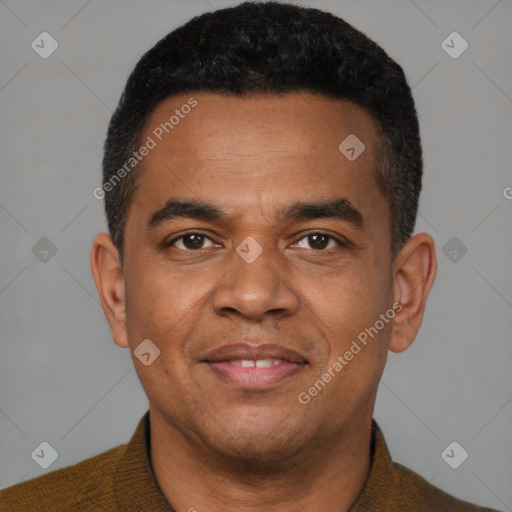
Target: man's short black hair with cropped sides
274 48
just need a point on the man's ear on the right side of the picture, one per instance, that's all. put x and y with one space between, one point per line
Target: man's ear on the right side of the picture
414 273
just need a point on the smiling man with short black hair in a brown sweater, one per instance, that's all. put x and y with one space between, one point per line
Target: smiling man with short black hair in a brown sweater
261 180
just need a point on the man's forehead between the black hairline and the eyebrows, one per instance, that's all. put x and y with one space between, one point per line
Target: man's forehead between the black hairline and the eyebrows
245 152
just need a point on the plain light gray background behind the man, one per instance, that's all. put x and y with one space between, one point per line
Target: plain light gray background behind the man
62 379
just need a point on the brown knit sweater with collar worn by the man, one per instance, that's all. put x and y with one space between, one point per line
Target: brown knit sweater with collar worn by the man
122 479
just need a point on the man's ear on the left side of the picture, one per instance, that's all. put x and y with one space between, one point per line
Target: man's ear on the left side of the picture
109 279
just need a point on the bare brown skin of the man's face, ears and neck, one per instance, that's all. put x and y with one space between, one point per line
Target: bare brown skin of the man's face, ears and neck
214 445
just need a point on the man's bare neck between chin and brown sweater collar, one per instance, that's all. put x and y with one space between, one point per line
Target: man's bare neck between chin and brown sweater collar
321 475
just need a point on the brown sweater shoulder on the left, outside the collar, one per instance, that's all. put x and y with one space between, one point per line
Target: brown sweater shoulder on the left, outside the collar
85 486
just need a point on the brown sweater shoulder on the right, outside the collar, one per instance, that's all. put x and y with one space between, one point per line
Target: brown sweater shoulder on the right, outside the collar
414 489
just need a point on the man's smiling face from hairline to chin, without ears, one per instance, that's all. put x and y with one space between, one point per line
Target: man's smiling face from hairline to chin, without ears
256 253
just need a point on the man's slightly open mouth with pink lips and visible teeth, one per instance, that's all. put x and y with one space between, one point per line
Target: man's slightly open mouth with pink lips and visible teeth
254 367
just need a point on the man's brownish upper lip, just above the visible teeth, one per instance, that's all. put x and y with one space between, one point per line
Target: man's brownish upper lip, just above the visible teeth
252 352
